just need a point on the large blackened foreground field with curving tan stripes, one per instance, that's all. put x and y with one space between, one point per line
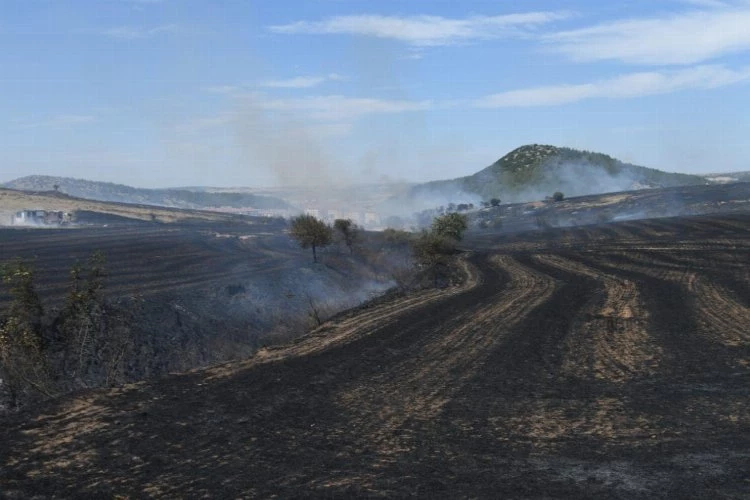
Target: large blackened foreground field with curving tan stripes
588 362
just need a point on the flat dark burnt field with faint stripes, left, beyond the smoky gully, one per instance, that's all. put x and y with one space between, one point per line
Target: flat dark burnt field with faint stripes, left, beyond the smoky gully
151 259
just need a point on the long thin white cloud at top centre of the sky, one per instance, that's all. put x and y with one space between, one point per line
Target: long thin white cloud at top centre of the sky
423 30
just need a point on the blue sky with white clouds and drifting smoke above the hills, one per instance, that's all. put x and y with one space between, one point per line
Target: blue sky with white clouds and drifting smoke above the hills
166 93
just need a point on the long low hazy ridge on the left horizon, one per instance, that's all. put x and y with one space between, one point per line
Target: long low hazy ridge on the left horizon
176 198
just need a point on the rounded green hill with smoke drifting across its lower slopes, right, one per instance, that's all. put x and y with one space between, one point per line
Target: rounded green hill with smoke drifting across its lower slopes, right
535 171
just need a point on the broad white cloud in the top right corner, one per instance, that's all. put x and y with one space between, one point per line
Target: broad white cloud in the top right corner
685 38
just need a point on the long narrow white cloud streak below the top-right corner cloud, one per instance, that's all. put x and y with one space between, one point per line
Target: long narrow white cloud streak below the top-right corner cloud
621 87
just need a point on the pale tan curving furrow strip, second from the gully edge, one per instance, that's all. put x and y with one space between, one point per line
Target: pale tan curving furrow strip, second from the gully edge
417 388
